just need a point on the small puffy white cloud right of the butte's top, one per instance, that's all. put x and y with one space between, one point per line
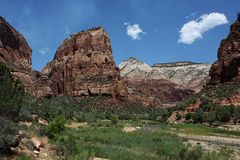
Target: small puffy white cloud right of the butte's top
134 31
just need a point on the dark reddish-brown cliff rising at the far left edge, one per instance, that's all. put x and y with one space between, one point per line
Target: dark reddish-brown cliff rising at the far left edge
15 52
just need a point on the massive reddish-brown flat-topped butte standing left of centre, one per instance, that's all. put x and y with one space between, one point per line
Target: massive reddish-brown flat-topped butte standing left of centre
83 66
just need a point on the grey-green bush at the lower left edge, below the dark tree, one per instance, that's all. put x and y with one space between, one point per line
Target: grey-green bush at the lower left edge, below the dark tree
8 134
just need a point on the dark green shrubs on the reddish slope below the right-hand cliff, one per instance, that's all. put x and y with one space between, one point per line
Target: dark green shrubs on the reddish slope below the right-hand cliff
210 111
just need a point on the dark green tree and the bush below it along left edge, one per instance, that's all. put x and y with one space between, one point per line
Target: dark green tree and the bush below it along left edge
11 99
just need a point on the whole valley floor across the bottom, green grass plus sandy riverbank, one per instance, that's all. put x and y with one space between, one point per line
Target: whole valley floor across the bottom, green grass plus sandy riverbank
144 140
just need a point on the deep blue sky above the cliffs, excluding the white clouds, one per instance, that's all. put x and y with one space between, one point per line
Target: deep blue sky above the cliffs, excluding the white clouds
46 23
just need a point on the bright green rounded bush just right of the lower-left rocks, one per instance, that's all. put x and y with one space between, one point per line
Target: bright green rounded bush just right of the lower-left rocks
56 127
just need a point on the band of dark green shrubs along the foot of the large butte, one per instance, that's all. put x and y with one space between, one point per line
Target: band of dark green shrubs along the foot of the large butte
89 109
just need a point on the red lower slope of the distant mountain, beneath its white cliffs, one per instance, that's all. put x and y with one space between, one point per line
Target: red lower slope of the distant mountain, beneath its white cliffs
156 92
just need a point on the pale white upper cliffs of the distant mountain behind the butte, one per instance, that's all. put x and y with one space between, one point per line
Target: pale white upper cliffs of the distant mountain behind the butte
186 74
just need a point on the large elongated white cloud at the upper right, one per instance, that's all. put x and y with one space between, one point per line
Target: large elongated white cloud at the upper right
195 29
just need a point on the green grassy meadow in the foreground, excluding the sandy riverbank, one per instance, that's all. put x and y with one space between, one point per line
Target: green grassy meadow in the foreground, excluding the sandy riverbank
105 140
